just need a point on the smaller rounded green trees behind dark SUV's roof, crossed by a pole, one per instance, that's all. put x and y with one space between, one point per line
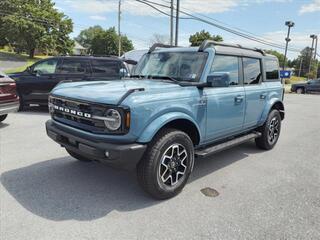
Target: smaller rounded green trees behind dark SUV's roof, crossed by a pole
103 42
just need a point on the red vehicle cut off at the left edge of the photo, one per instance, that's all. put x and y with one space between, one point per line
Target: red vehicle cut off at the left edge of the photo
9 100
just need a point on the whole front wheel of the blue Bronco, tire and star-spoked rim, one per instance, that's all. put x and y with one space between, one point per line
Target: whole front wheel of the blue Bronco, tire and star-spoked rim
165 168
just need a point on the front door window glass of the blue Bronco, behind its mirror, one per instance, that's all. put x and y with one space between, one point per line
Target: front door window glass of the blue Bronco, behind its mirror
227 64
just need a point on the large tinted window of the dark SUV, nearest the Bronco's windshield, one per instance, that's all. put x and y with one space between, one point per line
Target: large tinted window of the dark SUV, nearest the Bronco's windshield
105 67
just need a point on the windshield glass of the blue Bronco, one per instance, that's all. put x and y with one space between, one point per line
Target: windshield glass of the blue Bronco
182 66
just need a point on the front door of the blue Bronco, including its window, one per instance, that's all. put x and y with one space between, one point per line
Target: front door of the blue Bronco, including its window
225 105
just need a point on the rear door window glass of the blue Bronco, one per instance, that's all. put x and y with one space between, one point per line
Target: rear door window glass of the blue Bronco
252 70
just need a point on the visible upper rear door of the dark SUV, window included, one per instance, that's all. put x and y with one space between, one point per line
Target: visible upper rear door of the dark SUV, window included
103 69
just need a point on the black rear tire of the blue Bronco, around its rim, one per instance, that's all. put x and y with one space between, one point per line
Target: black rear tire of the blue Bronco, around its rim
264 141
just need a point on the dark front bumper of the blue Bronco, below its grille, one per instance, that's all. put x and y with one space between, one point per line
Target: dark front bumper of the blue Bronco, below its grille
124 156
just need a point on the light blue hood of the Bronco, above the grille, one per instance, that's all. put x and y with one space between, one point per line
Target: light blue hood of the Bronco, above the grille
110 92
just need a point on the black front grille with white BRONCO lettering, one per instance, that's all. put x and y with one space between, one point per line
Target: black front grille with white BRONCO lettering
78 114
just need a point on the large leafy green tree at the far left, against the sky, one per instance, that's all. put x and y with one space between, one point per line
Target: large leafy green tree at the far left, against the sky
29 25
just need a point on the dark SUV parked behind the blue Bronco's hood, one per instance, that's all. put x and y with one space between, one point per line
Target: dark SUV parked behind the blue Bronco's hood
35 83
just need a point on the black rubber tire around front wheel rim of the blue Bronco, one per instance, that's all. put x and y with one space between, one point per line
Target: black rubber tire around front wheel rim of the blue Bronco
149 168
